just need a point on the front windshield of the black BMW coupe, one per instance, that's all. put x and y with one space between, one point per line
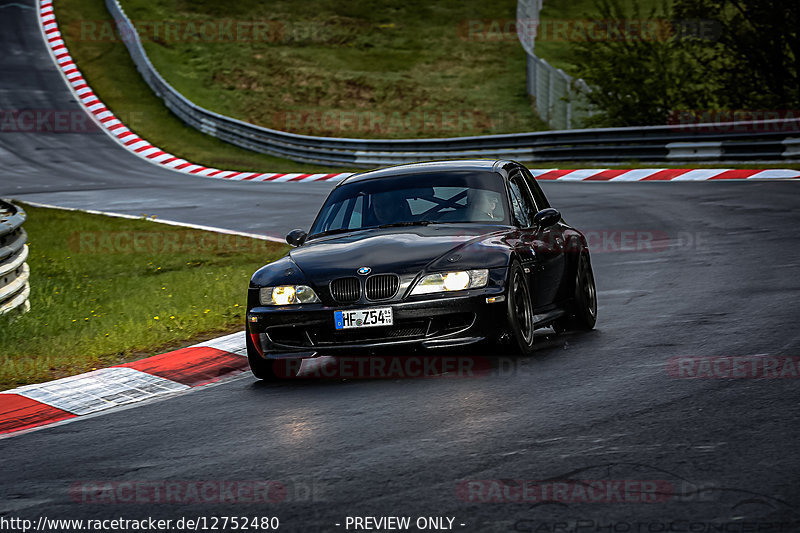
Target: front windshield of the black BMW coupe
430 198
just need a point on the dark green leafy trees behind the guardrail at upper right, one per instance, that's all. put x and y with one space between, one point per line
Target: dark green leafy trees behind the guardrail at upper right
749 61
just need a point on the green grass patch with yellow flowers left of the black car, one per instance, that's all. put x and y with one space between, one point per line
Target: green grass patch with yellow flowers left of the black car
108 290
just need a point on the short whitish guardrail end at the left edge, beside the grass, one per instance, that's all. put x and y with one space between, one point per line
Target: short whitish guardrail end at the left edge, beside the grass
14 271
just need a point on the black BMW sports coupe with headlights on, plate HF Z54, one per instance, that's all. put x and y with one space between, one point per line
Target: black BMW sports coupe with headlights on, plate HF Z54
425 255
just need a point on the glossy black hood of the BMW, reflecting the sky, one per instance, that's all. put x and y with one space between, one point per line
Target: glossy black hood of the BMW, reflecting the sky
397 250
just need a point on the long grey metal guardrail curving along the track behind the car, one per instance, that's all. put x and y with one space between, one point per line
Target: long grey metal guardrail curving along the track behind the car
745 141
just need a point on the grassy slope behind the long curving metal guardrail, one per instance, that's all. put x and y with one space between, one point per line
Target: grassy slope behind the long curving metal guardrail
374 69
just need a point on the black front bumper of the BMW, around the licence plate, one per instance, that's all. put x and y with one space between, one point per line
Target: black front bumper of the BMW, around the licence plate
437 321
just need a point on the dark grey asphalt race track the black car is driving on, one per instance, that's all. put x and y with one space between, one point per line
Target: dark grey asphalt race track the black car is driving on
718 276
